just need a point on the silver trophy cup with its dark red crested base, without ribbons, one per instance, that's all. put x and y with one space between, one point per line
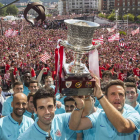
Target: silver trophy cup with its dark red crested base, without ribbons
75 77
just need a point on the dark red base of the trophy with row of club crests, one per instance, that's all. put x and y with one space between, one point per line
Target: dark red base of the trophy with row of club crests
76 86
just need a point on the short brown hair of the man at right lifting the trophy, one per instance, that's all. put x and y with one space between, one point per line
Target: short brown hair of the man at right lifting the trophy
114 82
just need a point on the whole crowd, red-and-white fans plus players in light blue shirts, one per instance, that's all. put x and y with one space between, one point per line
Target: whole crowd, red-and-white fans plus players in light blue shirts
32 81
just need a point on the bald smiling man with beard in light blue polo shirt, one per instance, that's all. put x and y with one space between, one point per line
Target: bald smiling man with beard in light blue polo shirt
16 123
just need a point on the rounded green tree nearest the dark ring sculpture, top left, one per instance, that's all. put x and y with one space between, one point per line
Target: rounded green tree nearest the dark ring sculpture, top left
12 10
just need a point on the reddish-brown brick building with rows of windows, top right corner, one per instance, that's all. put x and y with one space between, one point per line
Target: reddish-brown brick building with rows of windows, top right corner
128 6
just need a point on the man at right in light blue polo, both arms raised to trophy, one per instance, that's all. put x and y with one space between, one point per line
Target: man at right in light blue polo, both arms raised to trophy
114 121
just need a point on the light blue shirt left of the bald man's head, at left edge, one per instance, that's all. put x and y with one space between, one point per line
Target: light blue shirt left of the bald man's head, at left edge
7 109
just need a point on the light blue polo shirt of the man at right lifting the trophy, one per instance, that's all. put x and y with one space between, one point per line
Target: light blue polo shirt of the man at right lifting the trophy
106 131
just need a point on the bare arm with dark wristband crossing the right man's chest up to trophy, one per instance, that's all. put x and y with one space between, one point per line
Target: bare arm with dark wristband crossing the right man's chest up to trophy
122 125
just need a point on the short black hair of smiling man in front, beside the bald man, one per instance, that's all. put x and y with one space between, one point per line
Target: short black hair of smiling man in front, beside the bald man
44 93
